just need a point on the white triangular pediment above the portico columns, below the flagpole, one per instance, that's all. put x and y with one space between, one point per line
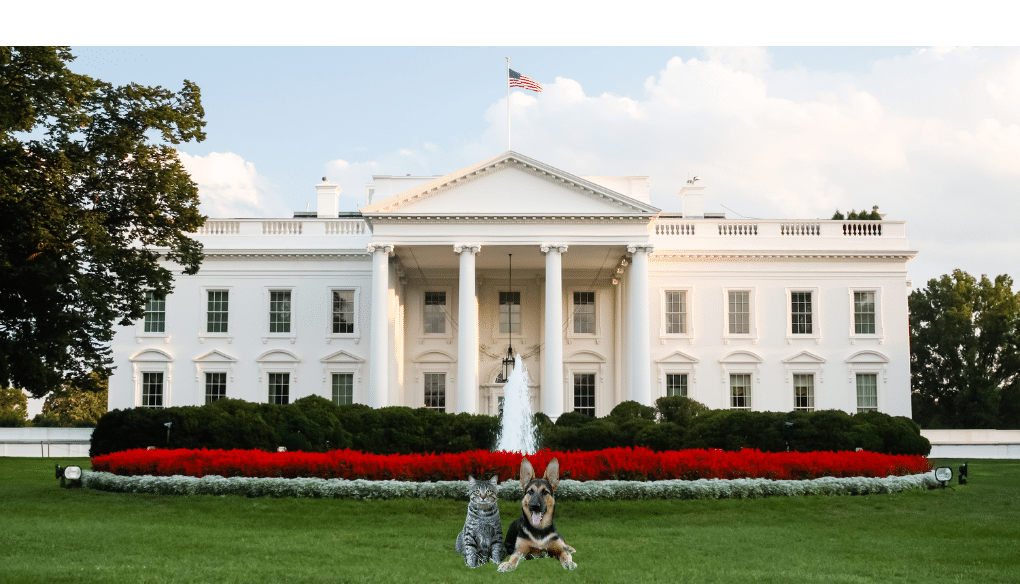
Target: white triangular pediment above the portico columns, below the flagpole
509 185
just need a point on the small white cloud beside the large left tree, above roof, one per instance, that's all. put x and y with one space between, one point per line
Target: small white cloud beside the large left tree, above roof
230 187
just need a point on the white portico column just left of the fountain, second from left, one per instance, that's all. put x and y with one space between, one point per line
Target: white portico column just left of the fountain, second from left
468 334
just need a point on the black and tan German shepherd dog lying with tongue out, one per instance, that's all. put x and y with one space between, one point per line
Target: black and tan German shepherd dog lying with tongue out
534 535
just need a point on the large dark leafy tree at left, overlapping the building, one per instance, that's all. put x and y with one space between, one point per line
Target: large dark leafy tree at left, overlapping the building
93 197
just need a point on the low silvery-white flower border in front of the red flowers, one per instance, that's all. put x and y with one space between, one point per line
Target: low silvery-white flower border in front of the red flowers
511 491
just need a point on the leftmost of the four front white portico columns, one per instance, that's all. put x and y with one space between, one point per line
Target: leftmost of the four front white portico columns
379 354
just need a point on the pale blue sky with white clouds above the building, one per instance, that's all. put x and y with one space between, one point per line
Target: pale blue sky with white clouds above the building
932 135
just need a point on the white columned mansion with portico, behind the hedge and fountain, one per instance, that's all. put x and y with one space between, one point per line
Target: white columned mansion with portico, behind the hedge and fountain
413 302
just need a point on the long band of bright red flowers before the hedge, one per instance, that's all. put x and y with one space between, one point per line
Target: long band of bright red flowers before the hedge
621 464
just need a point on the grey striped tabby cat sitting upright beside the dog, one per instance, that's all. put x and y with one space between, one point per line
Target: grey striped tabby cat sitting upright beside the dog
482 539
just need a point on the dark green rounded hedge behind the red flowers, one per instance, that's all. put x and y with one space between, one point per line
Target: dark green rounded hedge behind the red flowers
316 424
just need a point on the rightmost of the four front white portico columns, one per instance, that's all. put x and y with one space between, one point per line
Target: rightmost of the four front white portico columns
639 346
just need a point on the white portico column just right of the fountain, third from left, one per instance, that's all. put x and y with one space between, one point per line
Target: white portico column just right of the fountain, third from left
552 363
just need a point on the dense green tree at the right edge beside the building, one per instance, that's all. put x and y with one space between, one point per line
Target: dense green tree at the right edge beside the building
965 365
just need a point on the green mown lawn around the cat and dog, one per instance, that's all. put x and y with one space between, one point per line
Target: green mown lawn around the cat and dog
961 535
